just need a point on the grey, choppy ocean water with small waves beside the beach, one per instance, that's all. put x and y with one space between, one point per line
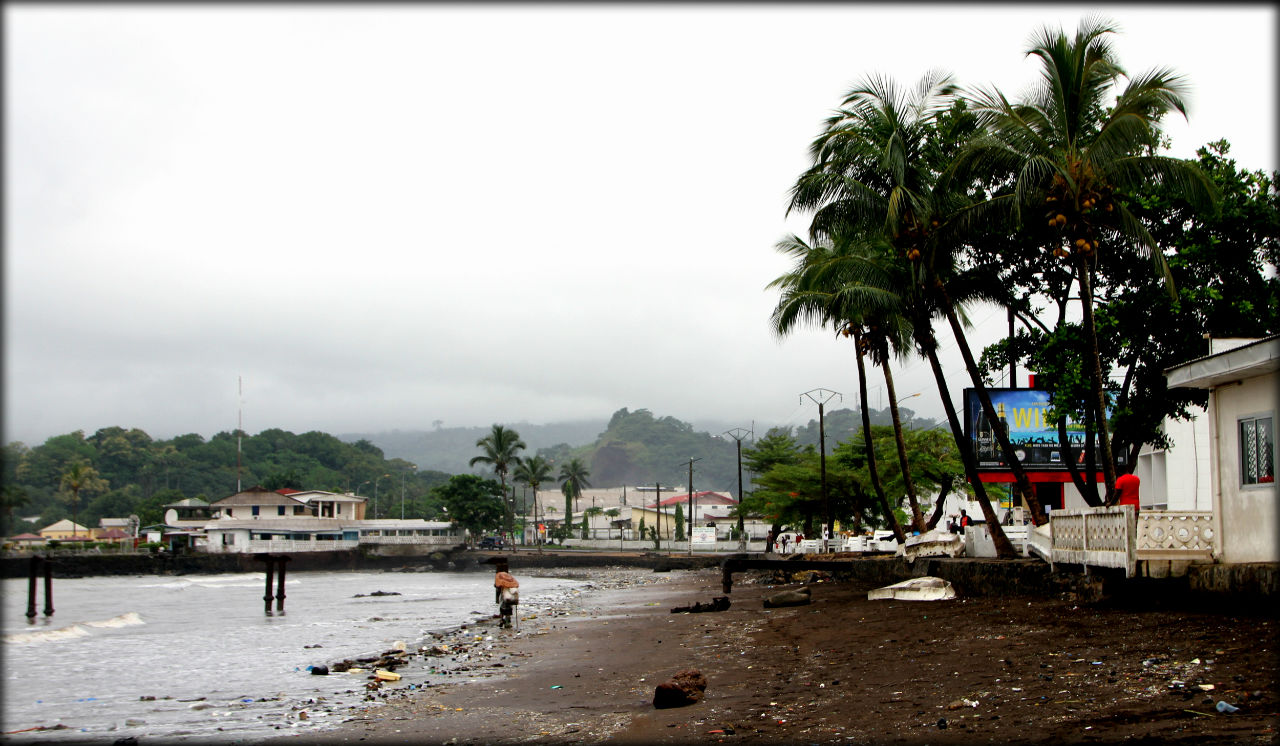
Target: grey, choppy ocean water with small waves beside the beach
217 666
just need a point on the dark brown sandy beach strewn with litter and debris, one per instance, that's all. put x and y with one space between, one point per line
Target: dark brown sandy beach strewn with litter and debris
843 670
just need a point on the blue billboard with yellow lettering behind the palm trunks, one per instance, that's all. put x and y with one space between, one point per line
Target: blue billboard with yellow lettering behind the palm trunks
1034 437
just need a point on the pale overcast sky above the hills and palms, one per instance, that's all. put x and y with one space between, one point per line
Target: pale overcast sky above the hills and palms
378 218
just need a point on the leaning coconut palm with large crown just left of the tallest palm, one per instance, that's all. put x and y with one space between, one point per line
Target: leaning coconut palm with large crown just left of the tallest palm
876 175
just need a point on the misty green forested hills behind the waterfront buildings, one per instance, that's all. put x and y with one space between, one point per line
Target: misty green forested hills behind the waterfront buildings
127 473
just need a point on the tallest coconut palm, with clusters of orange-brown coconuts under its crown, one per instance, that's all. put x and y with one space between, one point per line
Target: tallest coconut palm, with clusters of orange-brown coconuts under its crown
1073 155
